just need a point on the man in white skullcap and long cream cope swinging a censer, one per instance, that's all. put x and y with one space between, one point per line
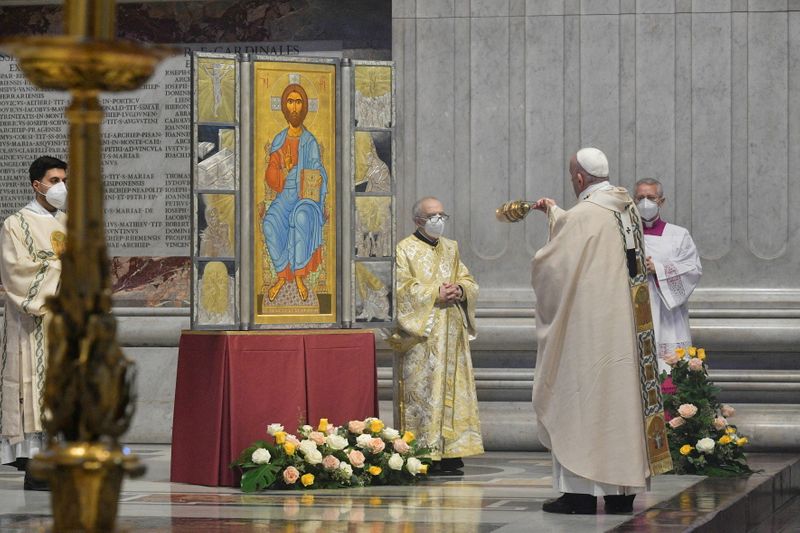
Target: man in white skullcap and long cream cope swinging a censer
595 391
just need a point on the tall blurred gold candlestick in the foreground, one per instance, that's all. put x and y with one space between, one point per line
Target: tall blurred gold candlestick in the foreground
88 396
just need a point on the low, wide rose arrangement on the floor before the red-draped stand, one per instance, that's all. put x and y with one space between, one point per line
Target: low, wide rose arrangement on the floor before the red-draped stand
365 452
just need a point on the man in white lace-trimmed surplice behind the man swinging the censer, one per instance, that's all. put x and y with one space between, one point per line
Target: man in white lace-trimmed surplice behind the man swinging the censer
674 269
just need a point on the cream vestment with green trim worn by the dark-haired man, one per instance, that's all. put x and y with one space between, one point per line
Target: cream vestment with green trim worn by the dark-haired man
30 245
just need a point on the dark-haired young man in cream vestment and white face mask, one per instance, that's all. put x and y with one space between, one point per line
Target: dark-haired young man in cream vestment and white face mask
31 243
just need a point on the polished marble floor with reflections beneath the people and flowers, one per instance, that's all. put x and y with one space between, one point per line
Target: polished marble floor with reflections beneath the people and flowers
499 492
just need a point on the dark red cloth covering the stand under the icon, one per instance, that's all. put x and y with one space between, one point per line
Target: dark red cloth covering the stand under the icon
232 384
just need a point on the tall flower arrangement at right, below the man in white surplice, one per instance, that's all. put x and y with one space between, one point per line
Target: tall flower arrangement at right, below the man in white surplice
701 439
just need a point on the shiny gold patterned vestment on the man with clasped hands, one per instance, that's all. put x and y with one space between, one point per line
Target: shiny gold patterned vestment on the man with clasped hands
433 367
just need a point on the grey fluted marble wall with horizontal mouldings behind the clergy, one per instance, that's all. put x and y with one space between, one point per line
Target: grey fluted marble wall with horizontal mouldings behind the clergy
493 98
